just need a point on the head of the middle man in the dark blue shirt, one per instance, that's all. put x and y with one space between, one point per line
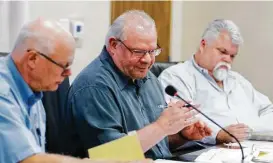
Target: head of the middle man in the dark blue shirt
130 38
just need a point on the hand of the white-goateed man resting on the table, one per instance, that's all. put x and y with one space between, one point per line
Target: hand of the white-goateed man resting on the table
240 131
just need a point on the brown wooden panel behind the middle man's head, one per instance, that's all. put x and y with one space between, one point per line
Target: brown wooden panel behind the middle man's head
160 11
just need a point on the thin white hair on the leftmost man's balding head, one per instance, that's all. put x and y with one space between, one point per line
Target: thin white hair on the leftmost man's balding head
43 36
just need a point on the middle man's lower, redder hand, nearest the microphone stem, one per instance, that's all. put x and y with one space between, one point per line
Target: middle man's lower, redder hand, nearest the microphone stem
196 131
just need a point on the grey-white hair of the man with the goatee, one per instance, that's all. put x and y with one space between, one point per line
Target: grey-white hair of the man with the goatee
218 25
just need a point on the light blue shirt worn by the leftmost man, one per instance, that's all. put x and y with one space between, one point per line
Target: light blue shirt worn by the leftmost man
22 116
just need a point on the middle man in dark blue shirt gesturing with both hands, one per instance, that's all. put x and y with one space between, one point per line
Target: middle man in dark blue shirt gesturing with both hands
116 94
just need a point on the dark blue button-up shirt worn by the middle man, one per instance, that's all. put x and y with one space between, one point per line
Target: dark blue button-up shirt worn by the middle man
104 104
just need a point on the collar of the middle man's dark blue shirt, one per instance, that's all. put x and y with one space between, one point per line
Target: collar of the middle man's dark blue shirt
121 79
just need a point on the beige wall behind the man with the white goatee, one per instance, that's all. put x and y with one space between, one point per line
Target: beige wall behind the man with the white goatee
256 22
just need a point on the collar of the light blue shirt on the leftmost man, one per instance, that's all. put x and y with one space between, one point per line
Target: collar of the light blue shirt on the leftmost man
28 96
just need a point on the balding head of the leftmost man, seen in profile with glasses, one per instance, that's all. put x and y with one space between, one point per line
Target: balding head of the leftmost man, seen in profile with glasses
43 54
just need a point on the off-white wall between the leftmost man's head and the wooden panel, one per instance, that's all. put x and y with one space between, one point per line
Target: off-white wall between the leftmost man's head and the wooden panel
96 17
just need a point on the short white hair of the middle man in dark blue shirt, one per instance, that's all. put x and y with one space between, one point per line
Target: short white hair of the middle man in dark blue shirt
136 18
